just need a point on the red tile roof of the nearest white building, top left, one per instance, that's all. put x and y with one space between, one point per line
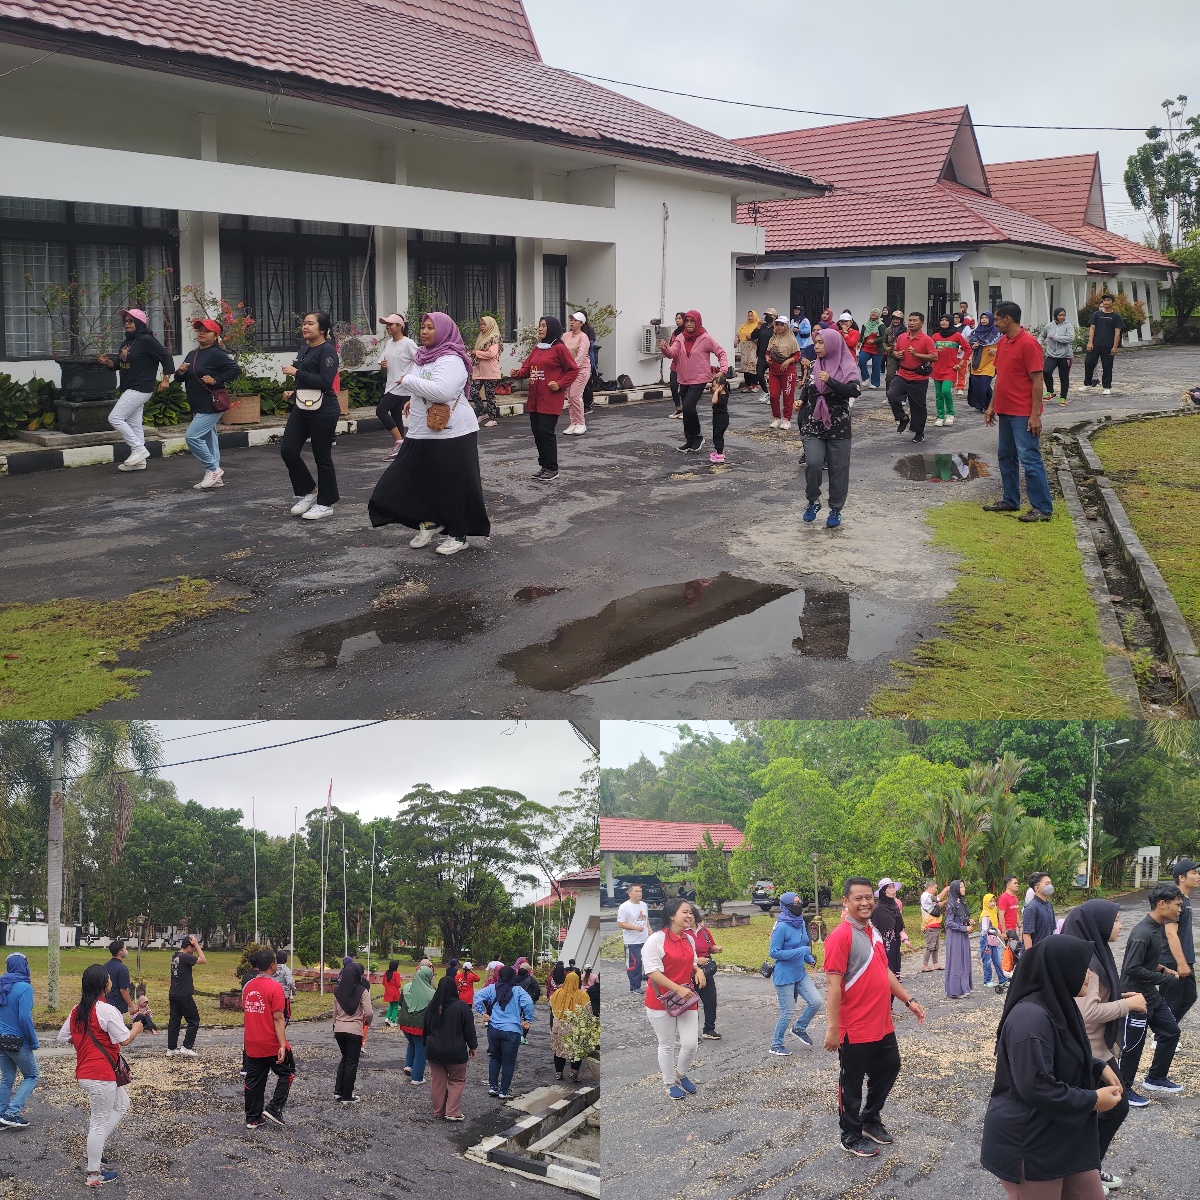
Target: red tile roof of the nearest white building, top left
475 65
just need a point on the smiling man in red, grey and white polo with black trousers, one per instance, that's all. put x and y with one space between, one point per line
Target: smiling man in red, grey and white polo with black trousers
860 1021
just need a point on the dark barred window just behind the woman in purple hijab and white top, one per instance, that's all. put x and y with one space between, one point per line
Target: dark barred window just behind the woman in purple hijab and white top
466 275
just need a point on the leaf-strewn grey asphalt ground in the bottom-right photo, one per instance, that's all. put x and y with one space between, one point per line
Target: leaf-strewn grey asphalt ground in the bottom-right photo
767 1129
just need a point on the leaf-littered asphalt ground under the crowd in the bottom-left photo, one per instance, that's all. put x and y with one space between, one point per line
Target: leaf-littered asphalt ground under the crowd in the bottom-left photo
185 1136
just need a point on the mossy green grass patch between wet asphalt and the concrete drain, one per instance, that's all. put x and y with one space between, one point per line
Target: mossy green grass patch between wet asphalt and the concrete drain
1023 640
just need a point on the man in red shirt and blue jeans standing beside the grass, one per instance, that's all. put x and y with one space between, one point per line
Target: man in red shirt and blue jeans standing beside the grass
1017 401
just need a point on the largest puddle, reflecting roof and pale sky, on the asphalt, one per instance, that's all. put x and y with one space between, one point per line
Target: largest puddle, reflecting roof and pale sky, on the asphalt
704 631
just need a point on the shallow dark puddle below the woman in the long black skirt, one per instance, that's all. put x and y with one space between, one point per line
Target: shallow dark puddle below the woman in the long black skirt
452 619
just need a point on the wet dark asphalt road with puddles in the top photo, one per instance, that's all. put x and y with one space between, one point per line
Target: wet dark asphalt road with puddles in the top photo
643 584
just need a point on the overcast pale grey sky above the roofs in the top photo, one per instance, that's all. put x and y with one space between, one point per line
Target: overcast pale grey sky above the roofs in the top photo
1027 63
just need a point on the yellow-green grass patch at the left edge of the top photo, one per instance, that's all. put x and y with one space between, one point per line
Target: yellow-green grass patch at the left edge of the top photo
59 656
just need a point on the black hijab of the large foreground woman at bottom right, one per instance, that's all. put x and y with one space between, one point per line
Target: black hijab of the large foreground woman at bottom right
1052 976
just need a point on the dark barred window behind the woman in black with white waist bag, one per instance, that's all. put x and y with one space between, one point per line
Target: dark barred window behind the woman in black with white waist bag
281 269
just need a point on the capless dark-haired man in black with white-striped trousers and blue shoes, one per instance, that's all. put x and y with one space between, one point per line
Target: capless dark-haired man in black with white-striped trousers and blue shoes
1142 970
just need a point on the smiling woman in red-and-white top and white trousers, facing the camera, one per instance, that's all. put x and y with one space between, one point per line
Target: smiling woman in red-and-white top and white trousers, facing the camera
669 959
